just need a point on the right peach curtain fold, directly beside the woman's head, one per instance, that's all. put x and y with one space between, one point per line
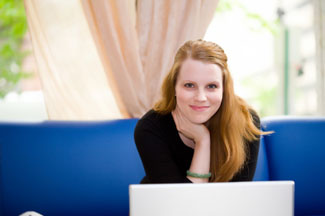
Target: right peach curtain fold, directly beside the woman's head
163 26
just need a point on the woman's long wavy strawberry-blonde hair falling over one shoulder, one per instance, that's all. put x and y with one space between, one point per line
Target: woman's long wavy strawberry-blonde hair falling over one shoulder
231 127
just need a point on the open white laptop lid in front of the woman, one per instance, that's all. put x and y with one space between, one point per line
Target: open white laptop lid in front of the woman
269 198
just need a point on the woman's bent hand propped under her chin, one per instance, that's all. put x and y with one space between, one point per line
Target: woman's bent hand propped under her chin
199 133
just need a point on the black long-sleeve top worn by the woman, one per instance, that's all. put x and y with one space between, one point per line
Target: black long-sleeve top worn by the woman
166 158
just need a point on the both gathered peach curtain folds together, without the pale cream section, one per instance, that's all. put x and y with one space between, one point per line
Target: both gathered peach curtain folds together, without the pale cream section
141 55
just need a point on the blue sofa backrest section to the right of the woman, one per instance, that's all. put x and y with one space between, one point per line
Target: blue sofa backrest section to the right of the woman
296 151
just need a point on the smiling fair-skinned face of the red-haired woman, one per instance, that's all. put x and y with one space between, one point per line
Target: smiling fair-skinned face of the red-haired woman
199 90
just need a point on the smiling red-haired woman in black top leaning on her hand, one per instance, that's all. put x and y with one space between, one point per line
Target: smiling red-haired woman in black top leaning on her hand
199 131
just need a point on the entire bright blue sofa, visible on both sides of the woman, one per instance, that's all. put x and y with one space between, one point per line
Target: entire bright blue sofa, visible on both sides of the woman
84 168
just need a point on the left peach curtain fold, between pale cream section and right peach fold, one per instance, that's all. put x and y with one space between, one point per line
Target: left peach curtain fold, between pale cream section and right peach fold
116 37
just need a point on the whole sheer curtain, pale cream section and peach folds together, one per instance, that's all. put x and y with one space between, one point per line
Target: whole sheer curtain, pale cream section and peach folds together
131 42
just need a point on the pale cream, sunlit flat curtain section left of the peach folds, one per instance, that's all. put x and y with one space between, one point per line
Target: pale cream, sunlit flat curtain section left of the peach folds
73 79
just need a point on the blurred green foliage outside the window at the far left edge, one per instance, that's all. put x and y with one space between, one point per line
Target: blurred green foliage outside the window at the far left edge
13 27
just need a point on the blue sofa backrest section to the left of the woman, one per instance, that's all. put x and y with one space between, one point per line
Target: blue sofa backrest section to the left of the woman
68 168
